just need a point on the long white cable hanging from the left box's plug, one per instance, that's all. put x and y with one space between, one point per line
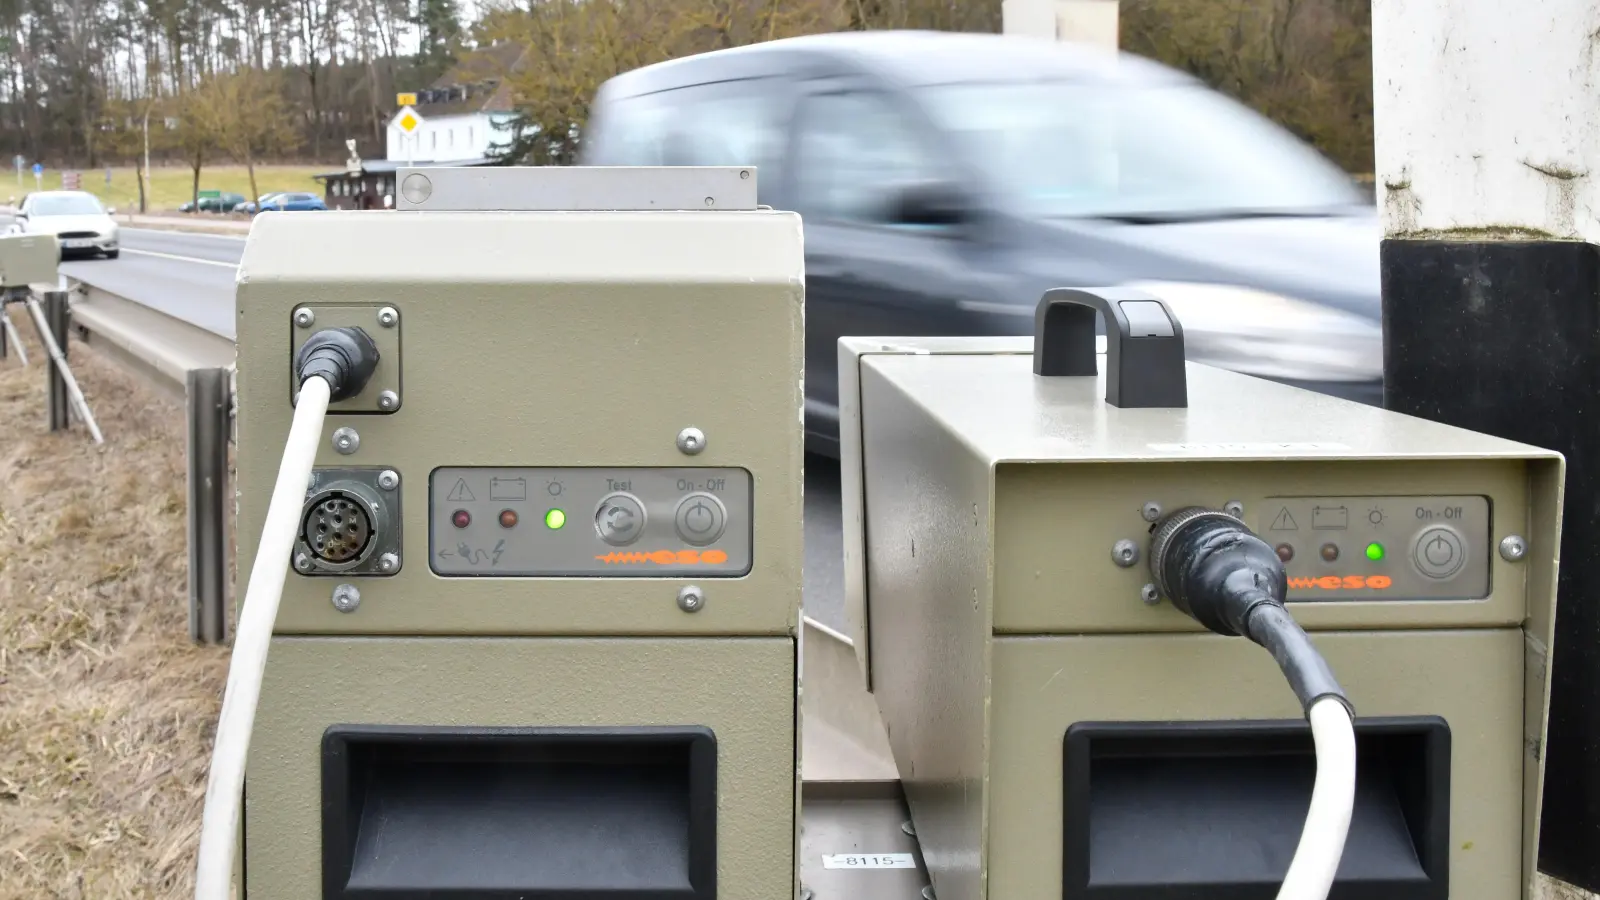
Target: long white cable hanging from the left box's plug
220 829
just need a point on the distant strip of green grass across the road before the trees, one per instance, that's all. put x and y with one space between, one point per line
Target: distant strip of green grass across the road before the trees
172 187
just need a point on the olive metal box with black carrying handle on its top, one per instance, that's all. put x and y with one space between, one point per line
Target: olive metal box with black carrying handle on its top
1062 737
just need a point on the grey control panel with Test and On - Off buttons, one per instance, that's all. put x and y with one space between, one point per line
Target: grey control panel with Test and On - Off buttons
625 523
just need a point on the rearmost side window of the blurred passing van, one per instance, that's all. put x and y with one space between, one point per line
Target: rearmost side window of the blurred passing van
724 124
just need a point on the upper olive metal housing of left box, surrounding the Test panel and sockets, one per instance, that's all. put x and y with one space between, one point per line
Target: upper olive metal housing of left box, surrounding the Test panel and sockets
535 339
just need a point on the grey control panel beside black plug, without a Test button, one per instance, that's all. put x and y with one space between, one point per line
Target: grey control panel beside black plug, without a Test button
1402 548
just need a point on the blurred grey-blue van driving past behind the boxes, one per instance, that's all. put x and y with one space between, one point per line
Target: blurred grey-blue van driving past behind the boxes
950 180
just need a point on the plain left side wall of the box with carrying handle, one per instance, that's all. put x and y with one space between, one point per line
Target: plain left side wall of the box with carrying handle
927 526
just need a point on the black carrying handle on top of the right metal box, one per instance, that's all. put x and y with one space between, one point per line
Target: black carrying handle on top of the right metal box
1145 345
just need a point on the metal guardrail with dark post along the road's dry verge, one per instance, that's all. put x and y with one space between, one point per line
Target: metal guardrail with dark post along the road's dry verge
198 368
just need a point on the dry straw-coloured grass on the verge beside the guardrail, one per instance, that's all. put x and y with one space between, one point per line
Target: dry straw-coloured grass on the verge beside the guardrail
106 709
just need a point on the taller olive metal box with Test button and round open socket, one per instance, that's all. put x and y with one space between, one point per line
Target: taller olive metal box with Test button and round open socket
569 507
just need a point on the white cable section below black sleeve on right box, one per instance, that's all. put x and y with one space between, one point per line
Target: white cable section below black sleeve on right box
1329 821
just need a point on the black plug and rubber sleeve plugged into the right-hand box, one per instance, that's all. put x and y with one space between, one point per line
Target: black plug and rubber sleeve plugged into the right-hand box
1234 584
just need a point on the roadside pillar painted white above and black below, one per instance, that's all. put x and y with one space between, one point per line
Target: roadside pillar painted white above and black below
1489 177
